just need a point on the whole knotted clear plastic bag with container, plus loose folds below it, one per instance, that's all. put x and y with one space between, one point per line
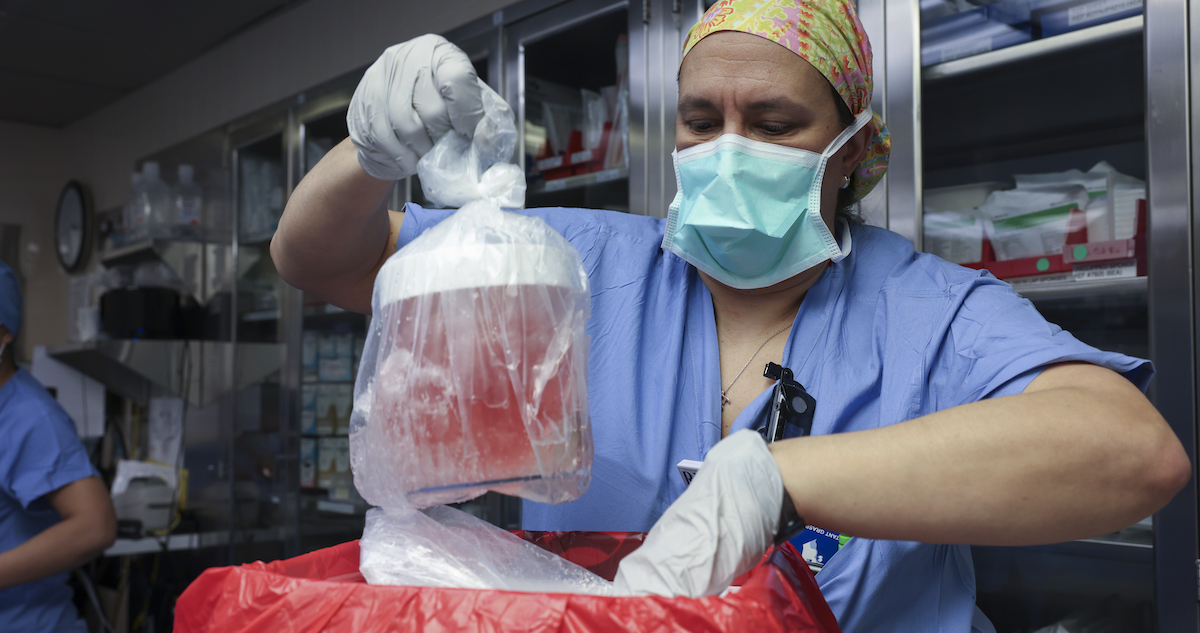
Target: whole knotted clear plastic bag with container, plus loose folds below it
473 379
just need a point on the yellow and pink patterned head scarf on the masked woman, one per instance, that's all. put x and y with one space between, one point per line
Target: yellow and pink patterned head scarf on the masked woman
827 34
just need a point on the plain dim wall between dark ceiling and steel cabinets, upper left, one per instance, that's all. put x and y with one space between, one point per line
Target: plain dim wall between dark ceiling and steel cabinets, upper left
313 44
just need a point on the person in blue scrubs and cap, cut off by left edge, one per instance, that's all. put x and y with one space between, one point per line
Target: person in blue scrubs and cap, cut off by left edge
56 513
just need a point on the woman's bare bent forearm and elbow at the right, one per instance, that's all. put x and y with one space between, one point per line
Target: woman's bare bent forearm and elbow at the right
1079 454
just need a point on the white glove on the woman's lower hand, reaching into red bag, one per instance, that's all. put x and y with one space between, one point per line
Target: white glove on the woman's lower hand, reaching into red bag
718 529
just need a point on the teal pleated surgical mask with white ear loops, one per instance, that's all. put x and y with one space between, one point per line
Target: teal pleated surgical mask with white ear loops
749 214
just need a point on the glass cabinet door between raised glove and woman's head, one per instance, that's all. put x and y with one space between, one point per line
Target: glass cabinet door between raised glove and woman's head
569 83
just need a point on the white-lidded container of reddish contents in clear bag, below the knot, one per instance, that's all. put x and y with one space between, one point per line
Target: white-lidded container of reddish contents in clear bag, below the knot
473 376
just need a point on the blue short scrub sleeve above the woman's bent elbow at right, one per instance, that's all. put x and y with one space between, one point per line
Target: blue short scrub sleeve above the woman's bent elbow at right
998 343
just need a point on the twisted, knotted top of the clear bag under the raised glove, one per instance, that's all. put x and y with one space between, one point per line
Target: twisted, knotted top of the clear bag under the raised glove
459 171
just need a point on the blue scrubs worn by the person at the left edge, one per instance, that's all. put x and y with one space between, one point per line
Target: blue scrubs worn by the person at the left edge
40 454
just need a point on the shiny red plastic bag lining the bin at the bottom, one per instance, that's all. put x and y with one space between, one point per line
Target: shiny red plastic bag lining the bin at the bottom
323 592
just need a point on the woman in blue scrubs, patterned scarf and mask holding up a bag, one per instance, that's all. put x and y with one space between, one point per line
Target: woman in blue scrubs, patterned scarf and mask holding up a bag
947 411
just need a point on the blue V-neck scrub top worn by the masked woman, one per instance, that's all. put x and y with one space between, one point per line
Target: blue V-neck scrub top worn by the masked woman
885 336
